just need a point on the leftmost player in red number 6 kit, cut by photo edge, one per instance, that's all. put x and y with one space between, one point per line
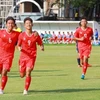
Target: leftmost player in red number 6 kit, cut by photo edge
8 41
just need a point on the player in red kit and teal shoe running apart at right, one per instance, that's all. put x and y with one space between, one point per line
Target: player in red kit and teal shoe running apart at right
83 35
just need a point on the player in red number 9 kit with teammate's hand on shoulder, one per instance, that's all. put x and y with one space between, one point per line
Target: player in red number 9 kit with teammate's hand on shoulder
27 45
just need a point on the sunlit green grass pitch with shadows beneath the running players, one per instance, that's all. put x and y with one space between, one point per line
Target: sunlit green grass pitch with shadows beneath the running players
56 76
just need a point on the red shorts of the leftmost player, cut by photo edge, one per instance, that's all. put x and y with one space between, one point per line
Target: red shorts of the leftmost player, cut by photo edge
5 63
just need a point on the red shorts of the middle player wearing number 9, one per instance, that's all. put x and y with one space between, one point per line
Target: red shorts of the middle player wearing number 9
26 62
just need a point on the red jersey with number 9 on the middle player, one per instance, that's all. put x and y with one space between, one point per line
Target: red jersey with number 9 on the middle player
28 44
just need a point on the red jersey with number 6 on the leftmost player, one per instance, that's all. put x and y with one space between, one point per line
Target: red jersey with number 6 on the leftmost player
7 43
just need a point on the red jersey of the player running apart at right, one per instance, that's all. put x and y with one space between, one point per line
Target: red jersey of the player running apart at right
87 34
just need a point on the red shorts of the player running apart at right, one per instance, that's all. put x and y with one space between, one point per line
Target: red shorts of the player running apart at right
84 52
